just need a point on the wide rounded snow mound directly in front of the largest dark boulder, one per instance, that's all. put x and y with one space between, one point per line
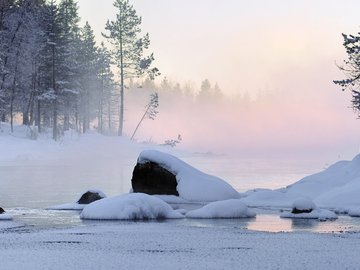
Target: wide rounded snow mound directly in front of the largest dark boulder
131 206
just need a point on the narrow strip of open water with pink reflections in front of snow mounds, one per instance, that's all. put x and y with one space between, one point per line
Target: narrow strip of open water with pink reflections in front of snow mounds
266 221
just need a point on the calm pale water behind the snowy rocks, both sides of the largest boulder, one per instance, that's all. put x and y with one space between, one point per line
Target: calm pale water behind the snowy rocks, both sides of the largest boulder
39 184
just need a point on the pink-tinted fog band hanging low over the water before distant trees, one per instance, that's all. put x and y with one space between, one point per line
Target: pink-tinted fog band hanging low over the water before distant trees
279 123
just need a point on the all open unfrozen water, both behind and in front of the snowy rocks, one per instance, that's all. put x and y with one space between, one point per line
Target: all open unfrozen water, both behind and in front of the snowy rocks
27 187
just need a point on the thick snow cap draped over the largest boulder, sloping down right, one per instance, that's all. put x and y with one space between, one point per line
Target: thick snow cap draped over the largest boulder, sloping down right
192 184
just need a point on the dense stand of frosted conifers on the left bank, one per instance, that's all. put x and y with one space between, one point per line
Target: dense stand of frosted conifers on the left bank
51 70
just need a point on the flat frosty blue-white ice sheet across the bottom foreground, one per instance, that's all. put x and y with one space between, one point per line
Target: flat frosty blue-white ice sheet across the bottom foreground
148 245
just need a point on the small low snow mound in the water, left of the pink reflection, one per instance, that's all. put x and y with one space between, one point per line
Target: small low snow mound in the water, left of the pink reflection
232 208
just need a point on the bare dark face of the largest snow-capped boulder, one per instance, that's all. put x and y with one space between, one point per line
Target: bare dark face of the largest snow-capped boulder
151 178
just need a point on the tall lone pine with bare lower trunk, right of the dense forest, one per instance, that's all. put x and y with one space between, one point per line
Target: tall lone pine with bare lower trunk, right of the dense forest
123 34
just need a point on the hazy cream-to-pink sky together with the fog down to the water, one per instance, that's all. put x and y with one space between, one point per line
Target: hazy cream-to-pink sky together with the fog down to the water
274 62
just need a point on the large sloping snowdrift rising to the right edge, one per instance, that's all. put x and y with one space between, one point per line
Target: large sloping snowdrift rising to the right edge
336 187
